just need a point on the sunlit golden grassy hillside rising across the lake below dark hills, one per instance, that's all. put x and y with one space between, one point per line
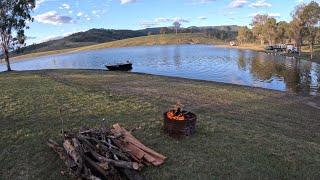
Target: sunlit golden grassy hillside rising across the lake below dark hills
138 41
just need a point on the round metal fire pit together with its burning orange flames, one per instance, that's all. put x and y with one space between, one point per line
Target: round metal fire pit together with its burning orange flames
179 123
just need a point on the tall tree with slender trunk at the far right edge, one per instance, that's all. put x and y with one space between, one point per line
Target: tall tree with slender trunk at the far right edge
310 17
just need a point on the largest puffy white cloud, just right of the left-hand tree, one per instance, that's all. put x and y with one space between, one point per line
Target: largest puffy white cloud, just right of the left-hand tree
52 17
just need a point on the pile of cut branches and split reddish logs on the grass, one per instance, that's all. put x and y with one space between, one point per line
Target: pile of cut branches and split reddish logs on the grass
105 153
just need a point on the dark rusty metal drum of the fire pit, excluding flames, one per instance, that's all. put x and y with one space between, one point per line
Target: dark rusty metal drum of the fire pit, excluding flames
179 129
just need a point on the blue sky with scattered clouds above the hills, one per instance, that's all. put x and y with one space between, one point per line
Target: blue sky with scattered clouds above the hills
57 18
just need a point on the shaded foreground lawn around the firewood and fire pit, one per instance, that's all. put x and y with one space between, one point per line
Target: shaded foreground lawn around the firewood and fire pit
242 133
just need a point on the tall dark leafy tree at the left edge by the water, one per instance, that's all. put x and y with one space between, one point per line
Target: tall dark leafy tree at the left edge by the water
14 15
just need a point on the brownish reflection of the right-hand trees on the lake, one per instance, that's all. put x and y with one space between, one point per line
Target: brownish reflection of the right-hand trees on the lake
298 76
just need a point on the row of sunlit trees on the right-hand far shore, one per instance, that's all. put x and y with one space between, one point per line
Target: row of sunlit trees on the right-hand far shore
302 29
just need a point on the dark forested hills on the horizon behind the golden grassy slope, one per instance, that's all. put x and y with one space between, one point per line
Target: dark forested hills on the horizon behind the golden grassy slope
97 36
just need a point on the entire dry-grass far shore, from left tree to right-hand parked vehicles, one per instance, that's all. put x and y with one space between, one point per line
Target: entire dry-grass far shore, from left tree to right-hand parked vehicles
167 39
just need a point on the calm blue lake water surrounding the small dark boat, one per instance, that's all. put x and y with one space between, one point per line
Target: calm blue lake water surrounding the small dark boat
204 62
